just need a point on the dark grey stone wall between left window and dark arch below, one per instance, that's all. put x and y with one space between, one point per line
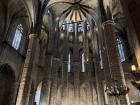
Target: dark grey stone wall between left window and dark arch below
8 55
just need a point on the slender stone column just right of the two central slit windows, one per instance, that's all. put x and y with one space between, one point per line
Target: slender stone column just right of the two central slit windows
87 74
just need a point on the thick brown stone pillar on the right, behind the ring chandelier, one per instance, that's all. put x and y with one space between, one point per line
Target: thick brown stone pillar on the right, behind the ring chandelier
112 67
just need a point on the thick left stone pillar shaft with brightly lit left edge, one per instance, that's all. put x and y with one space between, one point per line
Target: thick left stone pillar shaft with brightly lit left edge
22 98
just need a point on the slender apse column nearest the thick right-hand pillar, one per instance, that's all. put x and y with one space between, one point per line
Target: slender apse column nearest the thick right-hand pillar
98 73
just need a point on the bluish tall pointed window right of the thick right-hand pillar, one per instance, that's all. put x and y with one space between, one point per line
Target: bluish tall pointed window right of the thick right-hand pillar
120 46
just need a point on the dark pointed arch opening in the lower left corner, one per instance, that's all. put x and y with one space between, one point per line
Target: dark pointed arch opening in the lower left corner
7 85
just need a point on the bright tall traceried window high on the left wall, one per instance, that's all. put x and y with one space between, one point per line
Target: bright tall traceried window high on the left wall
17 37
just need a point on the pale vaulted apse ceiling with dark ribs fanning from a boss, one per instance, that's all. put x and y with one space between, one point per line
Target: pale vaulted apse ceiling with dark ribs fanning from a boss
73 11
